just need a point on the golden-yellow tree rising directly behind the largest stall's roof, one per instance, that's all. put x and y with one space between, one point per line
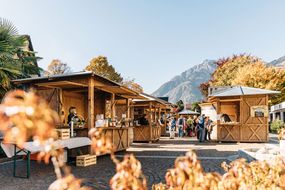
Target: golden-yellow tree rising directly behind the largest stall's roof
101 66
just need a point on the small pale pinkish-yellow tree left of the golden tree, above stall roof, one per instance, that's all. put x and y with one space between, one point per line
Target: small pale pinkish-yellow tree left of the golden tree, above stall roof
57 67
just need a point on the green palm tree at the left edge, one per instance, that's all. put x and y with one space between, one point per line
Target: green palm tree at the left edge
16 60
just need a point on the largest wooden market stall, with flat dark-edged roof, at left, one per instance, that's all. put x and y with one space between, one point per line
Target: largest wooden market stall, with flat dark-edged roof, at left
95 100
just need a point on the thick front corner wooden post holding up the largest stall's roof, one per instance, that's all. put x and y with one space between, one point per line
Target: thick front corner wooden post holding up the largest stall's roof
91 101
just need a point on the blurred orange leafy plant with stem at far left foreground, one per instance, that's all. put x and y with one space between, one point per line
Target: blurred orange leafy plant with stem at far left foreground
24 117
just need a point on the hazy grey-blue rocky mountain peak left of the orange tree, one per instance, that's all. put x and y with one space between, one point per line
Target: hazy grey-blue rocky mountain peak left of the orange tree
186 85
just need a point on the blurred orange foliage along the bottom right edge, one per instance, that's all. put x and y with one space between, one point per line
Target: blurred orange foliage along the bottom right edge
188 174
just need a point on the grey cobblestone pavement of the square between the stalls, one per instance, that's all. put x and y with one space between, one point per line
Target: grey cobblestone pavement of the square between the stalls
156 158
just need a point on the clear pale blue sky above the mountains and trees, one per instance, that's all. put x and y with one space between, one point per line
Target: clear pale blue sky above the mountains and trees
149 40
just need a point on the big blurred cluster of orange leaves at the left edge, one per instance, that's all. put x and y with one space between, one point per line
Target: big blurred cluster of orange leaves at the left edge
24 116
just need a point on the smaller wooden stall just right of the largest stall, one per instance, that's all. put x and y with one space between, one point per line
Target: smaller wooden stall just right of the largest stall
149 118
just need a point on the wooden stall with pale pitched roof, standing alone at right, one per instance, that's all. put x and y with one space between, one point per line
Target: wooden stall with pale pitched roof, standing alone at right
242 113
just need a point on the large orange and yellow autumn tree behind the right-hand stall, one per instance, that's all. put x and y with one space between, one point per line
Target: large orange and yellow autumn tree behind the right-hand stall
246 70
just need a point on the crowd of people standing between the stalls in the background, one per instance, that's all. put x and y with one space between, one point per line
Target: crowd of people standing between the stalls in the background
201 126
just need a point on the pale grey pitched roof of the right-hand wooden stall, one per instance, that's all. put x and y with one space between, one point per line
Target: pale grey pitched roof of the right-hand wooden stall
242 90
